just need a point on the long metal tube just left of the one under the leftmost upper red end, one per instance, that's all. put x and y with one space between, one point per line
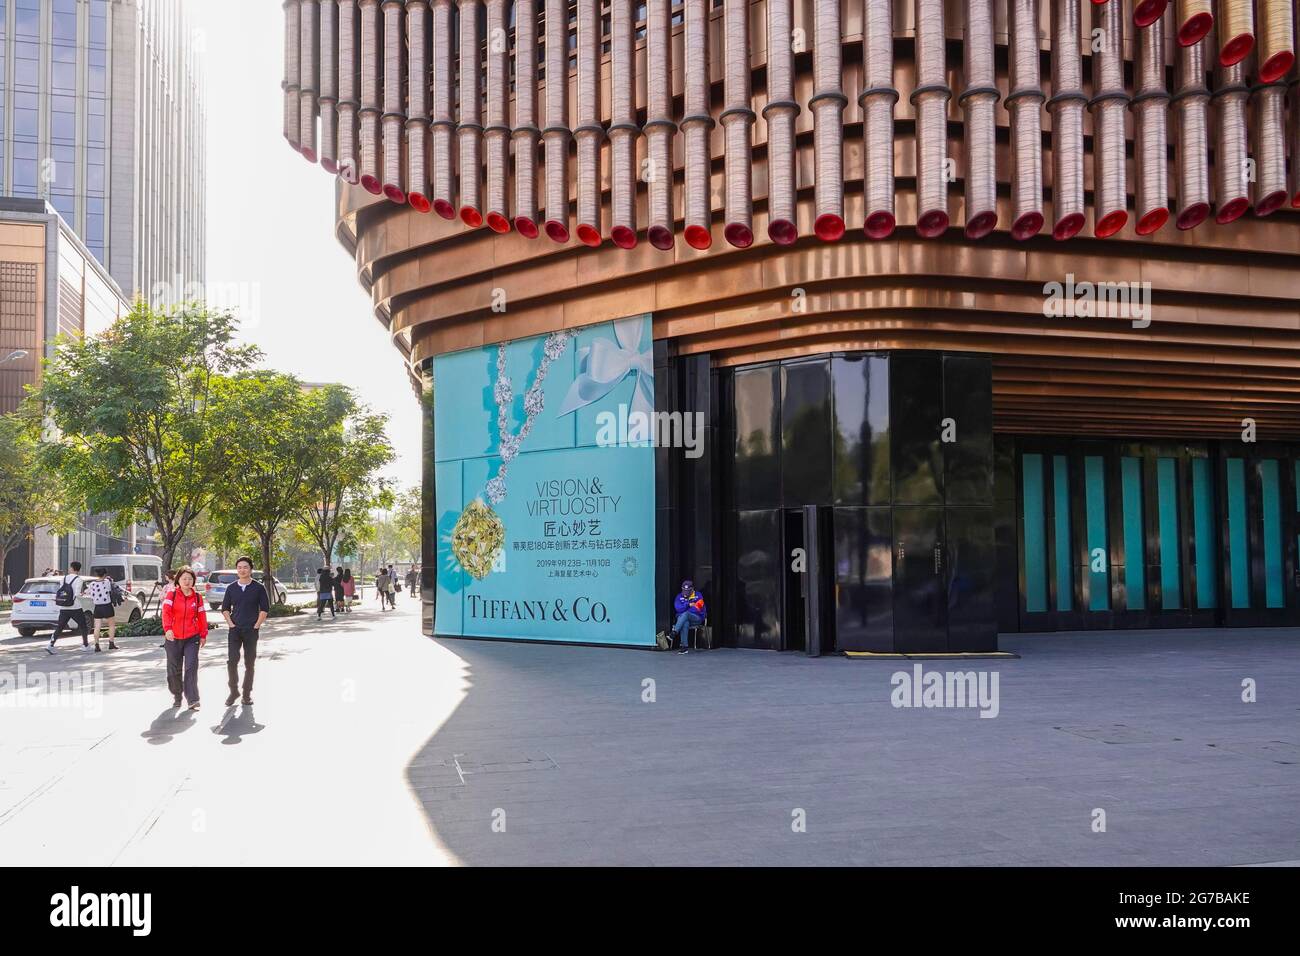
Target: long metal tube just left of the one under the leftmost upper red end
1110 105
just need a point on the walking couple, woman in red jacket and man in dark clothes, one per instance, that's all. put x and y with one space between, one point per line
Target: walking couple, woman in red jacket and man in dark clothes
185 622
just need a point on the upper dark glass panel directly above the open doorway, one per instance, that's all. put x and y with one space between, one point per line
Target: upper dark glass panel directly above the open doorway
807 434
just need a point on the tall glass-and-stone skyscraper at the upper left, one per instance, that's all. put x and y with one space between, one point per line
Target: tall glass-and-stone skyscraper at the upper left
102 115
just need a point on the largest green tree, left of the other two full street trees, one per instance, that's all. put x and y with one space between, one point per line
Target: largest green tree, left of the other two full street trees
137 431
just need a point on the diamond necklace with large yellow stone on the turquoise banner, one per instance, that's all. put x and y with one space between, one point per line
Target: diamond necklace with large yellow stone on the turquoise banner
479 535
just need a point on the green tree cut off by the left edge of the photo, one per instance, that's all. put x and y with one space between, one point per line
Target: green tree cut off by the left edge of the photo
31 498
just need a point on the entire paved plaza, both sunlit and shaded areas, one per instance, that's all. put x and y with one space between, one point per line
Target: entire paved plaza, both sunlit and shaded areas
371 745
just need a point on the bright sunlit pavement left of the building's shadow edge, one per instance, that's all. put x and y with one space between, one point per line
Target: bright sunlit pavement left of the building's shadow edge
314 773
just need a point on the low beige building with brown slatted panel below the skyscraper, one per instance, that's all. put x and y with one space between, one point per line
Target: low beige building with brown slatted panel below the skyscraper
51 285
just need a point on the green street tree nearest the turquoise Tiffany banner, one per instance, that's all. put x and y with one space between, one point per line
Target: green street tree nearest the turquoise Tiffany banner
344 488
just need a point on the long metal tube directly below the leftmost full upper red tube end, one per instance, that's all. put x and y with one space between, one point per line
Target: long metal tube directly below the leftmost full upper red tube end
1151 142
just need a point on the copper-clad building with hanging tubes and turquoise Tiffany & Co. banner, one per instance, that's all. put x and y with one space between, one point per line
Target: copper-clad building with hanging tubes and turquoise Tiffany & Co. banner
986 310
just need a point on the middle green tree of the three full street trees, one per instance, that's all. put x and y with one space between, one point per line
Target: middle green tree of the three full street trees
274 444
